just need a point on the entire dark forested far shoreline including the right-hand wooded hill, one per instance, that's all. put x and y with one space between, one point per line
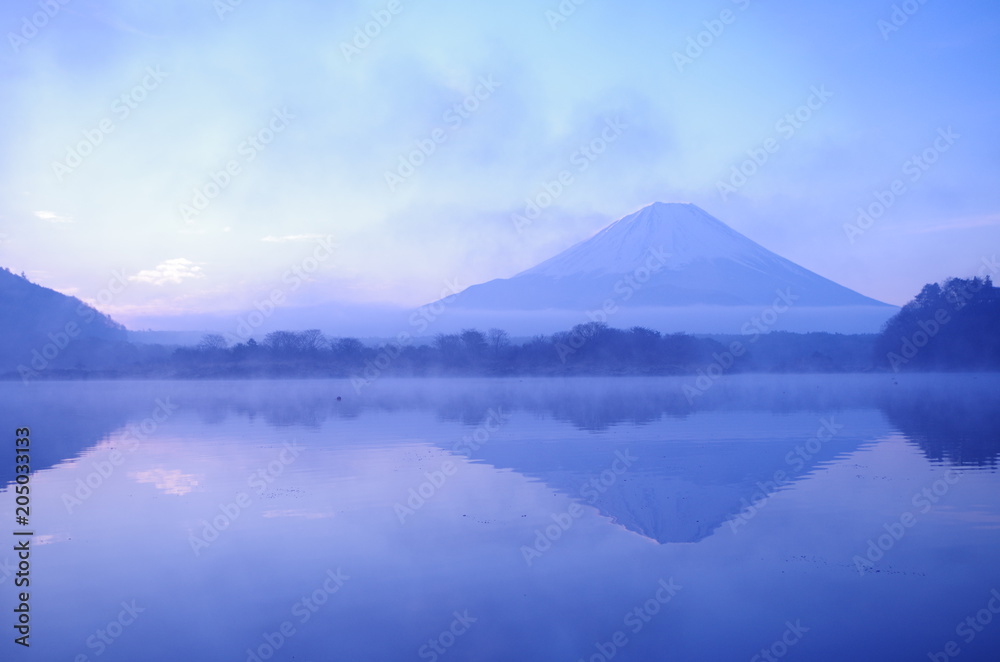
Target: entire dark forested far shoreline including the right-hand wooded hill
948 327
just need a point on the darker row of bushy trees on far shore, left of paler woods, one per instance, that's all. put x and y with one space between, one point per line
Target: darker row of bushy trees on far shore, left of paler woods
592 348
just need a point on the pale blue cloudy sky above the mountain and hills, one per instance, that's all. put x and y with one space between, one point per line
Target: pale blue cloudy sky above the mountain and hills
163 96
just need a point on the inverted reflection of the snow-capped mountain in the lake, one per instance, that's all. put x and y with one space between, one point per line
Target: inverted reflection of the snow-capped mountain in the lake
677 489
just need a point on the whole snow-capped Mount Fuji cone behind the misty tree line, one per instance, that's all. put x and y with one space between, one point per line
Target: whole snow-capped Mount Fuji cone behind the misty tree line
670 265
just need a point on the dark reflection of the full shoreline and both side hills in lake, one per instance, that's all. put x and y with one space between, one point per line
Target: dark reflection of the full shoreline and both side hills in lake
951 417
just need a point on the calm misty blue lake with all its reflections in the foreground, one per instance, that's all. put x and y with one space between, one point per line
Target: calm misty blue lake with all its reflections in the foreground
792 517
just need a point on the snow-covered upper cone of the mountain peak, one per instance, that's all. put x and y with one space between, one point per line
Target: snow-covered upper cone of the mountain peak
685 232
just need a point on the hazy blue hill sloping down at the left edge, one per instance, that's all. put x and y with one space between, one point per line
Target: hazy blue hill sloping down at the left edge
41 325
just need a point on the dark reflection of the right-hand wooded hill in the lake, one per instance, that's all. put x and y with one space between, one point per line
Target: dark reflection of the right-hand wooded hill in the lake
954 419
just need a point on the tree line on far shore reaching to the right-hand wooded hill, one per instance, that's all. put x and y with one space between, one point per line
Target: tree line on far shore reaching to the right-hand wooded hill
587 349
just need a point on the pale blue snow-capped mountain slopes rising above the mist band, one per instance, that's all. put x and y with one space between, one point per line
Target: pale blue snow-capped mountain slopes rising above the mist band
667 254
